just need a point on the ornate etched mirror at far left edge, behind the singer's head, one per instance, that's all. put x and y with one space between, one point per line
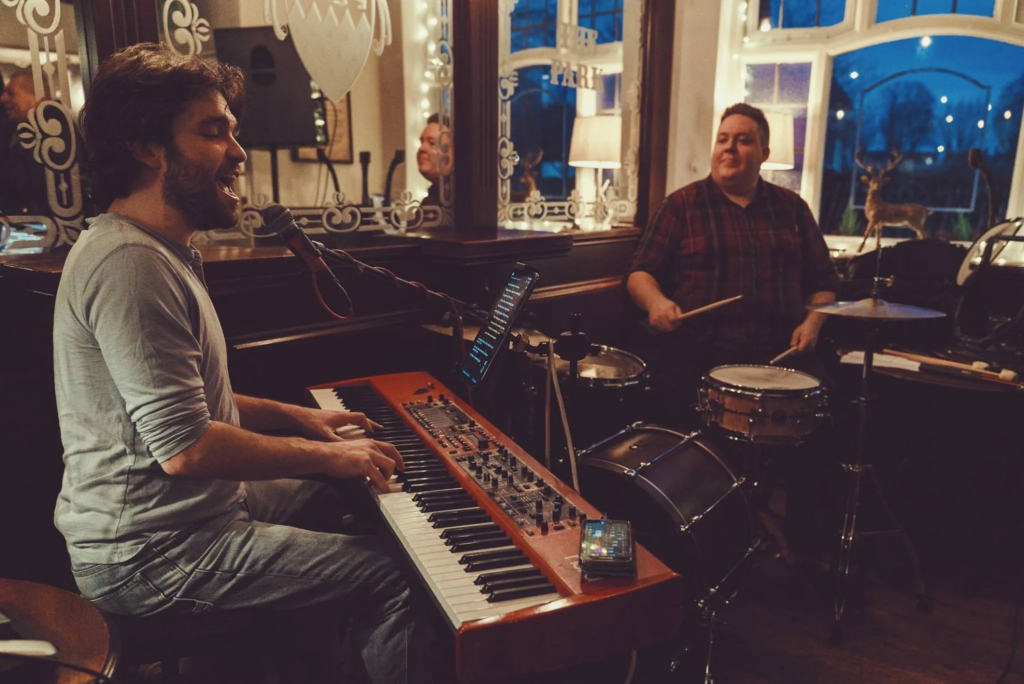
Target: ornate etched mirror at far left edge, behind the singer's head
41 190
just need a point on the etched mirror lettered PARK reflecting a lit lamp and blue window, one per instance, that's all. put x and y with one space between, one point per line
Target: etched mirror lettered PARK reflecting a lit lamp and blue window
570 113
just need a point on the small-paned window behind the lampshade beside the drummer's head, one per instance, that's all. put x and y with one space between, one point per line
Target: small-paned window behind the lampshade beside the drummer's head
784 89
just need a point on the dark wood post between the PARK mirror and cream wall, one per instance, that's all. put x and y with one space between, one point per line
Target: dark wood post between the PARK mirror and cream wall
656 104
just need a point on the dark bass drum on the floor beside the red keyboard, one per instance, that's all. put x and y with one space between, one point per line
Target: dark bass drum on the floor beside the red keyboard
687 504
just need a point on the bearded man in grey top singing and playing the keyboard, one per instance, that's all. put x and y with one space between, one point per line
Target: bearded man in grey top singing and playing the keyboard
174 502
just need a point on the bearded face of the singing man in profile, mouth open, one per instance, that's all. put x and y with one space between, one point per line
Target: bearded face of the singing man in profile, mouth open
203 163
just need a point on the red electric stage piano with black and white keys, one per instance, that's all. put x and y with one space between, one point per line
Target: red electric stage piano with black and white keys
495 538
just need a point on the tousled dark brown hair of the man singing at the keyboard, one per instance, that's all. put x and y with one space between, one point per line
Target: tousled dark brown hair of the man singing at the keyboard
135 99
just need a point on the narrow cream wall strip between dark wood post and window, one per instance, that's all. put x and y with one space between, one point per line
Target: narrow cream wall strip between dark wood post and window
692 120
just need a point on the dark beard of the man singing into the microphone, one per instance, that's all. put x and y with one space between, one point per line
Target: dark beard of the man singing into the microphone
196 195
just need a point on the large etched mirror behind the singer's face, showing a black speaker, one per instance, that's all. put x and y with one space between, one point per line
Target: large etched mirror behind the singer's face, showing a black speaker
373 157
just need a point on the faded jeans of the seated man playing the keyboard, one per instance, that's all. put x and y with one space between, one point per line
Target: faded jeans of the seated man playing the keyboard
254 559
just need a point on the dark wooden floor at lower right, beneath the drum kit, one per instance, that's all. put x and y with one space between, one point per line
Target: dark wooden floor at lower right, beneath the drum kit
777 630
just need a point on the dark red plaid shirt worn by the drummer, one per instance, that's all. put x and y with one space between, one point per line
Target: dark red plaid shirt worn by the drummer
702 247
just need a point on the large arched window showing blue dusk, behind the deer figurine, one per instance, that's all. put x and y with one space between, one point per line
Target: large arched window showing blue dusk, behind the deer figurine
933 105
